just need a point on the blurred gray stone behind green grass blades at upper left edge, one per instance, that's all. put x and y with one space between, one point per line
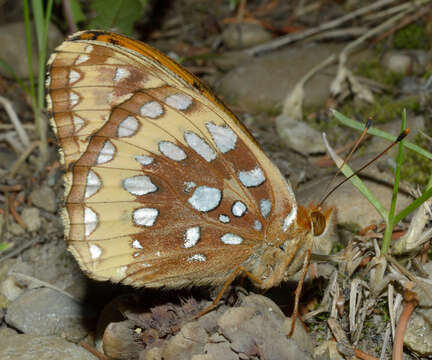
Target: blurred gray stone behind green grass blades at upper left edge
14 50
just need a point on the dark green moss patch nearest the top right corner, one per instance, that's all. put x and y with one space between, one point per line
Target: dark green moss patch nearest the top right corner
412 36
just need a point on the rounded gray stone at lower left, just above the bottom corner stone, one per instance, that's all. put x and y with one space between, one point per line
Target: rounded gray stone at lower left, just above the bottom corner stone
48 312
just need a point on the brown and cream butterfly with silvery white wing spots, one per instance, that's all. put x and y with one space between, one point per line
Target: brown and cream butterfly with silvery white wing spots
164 185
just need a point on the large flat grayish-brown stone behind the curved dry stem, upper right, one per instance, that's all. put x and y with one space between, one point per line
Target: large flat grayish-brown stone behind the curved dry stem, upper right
261 83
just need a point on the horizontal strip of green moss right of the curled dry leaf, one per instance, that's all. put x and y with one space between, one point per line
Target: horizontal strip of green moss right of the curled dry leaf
383 110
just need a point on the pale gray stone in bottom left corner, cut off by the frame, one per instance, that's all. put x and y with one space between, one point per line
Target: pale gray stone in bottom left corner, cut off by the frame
29 347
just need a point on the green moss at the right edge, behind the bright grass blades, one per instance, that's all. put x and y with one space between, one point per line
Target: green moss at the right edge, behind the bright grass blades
416 169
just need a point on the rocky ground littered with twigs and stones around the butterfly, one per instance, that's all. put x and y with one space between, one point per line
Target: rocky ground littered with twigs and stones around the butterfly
352 297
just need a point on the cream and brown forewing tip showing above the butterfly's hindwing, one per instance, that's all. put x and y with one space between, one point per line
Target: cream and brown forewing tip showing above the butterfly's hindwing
84 85
